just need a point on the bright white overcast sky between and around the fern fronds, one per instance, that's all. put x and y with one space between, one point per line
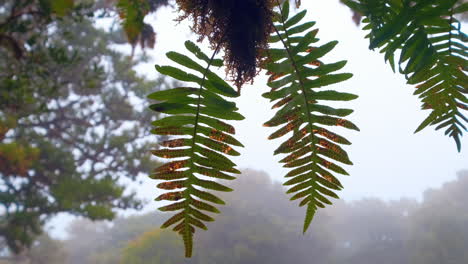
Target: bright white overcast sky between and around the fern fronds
389 160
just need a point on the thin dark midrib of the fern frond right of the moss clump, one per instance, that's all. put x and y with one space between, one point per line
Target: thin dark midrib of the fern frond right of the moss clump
301 84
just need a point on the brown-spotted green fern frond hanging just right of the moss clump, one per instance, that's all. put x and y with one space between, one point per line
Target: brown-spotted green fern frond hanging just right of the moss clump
297 80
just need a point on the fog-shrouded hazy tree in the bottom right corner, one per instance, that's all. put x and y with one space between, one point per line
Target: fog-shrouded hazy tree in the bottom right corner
439 233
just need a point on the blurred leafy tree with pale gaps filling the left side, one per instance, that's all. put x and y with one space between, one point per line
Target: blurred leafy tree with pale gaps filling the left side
72 132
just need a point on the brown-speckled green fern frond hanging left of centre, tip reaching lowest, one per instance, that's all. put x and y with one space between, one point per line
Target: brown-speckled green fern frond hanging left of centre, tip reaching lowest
202 143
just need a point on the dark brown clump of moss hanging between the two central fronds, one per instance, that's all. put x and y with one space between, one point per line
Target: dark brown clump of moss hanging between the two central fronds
240 27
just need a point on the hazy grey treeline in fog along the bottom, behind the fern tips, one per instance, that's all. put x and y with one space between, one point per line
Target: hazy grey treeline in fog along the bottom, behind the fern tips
258 226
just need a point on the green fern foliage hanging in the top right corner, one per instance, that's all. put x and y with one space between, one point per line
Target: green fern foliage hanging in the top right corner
432 54
